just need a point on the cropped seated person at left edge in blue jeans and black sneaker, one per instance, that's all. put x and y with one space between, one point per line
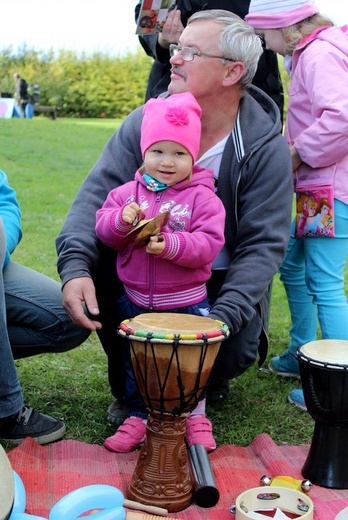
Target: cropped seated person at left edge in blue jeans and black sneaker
32 321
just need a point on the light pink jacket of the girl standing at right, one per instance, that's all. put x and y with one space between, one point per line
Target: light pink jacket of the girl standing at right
317 117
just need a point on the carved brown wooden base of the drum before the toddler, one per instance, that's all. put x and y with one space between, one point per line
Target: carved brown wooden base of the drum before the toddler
162 474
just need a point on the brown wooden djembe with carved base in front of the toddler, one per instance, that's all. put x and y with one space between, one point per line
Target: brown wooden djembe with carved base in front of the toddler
172 357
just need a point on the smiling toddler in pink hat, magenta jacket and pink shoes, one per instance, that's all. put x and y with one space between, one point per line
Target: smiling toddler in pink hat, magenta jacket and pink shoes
169 273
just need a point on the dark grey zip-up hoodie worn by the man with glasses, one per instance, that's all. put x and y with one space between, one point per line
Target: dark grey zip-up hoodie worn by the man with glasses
255 185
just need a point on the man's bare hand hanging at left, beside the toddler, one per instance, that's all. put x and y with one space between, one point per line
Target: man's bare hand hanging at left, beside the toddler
75 292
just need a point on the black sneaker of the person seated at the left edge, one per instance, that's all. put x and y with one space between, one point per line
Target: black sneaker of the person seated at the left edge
29 423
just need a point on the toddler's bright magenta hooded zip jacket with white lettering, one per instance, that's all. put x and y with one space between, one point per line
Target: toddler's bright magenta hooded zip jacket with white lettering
194 236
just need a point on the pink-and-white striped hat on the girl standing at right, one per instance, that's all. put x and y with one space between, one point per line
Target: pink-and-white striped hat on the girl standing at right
276 14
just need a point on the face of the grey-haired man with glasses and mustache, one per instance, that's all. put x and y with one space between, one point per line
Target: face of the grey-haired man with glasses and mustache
203 75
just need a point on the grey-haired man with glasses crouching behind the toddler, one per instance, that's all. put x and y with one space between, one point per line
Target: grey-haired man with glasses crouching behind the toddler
215 59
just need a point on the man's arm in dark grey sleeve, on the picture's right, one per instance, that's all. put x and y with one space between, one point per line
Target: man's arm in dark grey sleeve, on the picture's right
259 242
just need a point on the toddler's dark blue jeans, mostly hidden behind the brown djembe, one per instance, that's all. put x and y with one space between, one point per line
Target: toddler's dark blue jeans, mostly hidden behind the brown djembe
128 309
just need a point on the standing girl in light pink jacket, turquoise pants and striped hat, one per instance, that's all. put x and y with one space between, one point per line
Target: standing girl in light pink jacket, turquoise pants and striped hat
316 56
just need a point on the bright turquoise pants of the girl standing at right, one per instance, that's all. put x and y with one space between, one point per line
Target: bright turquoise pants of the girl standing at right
313 276
